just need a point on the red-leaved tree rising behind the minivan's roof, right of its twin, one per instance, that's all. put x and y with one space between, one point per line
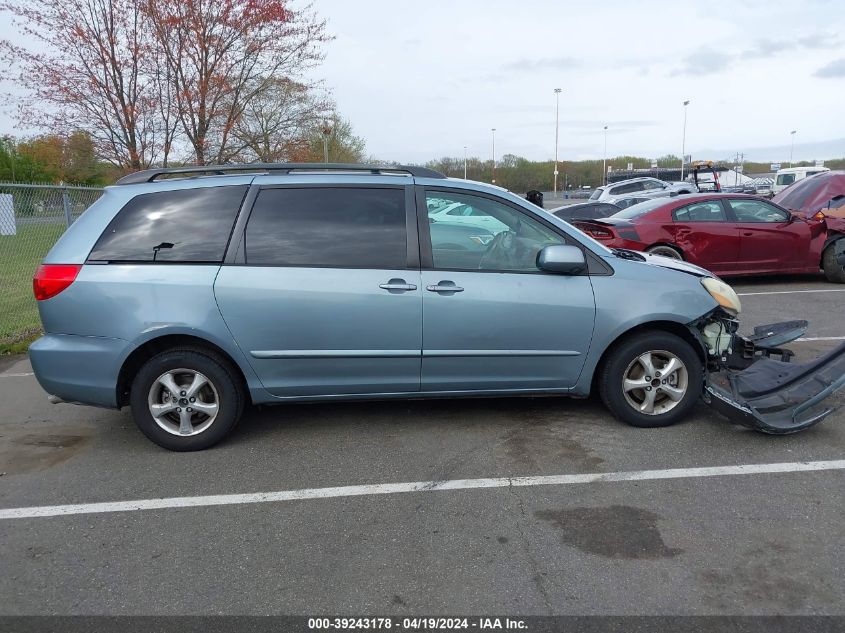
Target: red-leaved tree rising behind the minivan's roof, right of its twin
221 55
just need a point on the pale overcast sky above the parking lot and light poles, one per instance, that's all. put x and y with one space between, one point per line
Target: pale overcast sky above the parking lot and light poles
423 80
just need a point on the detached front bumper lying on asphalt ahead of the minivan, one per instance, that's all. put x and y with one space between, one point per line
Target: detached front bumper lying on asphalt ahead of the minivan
754 389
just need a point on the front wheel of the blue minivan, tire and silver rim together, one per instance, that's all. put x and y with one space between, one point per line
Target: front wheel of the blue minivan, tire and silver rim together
652 379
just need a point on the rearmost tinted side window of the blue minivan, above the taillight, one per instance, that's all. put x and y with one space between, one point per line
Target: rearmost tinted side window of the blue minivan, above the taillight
185 226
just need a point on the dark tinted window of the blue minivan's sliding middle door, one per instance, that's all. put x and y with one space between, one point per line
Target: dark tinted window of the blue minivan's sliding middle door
328 227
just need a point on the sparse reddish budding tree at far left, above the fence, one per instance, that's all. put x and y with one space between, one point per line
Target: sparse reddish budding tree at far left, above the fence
85 72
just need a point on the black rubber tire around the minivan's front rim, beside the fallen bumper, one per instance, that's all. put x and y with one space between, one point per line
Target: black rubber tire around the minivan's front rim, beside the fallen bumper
620 360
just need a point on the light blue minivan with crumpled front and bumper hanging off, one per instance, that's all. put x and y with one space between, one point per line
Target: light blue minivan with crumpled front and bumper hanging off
188 294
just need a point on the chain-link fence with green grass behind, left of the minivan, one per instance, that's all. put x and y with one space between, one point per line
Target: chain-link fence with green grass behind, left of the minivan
32 218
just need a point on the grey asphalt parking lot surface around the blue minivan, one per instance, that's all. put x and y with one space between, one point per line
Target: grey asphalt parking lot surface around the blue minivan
678 543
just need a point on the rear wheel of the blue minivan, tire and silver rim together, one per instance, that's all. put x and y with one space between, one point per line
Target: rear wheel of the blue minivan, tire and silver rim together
186 399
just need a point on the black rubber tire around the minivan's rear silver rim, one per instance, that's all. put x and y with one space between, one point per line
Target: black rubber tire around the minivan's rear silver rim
228 393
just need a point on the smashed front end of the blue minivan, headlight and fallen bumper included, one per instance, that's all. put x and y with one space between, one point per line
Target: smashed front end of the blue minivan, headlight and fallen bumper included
752 380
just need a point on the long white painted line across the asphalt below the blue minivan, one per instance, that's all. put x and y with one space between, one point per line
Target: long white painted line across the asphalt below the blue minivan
416 487
